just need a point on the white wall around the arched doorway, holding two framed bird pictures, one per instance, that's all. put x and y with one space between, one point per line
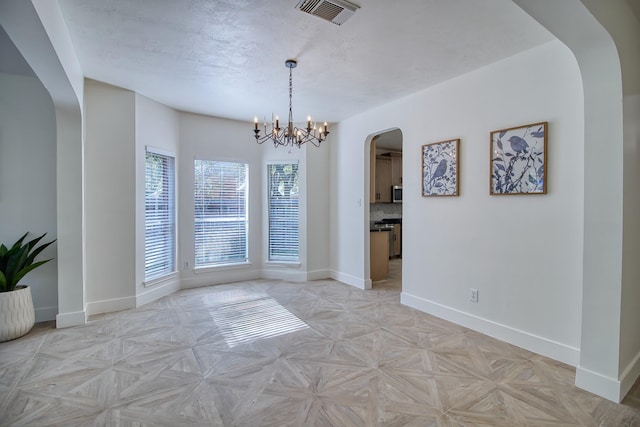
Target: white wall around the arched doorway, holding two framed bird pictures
523 253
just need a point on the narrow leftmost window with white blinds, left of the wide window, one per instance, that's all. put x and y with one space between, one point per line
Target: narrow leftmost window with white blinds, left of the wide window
159 215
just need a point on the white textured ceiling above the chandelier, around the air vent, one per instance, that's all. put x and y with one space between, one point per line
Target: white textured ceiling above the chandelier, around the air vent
226 57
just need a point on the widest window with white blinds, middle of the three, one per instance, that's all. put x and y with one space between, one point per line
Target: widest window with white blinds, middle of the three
221 226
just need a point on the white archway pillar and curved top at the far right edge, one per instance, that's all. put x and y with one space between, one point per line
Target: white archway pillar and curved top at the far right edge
587 28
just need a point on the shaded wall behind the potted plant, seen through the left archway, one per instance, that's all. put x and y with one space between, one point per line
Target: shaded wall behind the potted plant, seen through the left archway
28 179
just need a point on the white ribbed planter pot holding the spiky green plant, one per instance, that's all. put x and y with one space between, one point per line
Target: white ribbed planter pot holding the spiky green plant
17 315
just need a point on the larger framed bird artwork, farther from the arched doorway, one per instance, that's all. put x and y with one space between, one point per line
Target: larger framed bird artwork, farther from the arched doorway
519 160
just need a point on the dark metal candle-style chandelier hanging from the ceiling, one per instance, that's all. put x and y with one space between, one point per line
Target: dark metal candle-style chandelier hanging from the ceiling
291 135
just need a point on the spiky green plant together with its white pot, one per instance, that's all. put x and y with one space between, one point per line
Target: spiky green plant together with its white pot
17 314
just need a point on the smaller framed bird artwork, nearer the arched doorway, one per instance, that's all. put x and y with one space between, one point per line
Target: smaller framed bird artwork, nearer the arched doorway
440 162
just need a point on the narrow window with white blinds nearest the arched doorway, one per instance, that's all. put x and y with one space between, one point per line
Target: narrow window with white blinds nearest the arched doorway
283 212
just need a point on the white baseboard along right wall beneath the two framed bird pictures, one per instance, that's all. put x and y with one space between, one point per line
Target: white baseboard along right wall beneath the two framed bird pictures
540 345
